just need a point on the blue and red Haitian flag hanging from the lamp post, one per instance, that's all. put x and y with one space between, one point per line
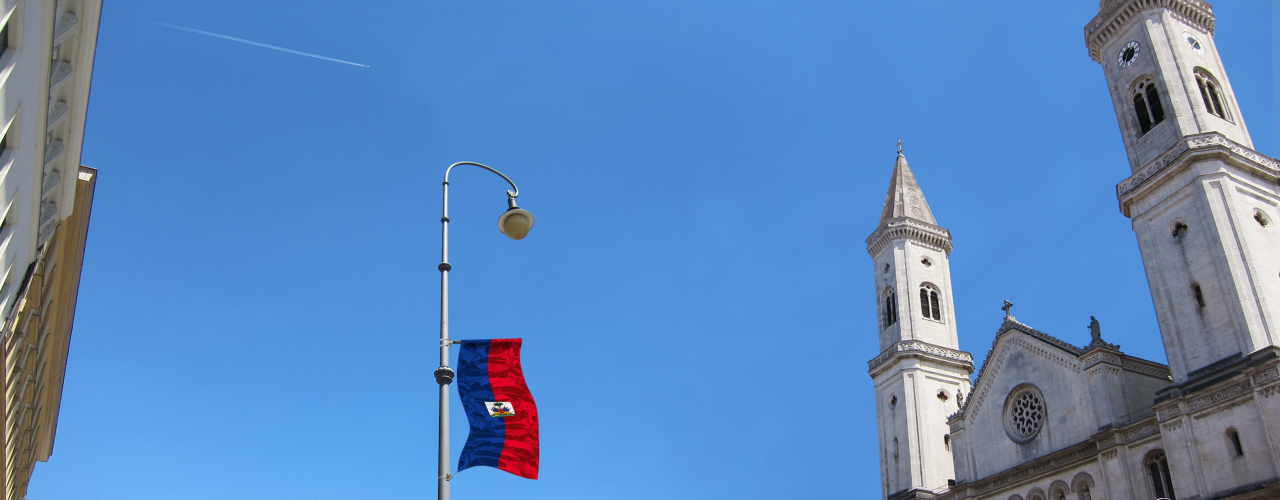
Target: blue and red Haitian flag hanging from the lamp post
502 412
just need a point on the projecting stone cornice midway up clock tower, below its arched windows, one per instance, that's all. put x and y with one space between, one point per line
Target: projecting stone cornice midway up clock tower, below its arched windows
1197 145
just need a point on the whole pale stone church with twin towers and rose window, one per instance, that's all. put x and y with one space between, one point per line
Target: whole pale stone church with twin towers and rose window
1046 420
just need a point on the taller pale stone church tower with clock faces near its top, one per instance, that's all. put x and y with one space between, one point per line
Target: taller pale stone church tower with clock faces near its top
1204 204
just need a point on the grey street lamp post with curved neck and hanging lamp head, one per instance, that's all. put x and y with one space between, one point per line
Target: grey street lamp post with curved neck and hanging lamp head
515 223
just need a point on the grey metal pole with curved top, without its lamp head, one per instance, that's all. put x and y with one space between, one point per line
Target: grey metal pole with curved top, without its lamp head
445 375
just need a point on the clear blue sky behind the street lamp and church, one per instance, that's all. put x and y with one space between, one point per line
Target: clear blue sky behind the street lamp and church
258 314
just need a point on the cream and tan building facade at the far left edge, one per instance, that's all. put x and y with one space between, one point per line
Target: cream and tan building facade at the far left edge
45 198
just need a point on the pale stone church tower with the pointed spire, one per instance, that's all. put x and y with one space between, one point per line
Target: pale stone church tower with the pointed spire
921 375
